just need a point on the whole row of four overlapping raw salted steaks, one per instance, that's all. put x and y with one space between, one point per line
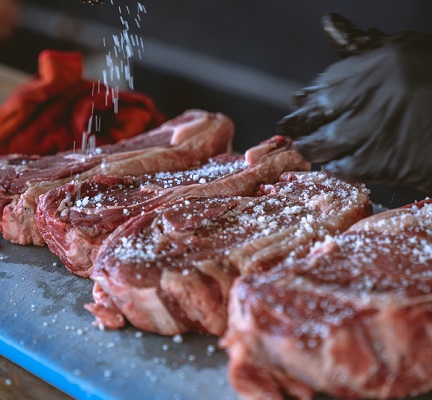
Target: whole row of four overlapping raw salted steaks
308 292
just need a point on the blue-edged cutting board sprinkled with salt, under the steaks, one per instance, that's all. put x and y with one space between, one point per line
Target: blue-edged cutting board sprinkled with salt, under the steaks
44 329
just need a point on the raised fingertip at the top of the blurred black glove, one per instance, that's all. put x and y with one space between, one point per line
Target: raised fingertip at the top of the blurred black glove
347 39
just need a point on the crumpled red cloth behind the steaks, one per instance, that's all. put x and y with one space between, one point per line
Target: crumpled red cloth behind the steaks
50 112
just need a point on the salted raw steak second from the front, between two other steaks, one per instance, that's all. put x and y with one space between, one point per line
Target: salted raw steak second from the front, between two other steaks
170 270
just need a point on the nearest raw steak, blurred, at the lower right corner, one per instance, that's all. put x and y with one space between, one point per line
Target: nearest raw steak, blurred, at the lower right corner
352 319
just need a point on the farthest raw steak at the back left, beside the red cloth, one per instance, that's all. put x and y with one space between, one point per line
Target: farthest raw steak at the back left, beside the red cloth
183 142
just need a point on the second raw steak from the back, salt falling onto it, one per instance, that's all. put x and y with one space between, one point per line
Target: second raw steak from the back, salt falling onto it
74 219
